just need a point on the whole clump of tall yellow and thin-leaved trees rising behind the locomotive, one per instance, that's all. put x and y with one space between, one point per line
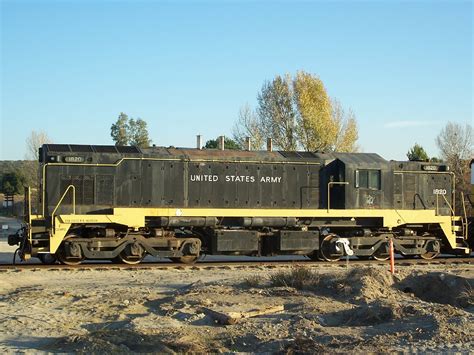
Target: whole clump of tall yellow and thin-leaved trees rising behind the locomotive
296 112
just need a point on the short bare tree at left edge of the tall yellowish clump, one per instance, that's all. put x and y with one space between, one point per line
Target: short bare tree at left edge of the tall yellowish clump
248 125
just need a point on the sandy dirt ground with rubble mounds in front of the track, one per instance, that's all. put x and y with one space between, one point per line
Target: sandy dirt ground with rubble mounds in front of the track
320 309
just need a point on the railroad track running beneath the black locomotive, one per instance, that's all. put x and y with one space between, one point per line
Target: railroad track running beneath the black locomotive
205 265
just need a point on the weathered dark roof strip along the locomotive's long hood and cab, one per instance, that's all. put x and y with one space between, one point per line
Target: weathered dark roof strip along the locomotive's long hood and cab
214 154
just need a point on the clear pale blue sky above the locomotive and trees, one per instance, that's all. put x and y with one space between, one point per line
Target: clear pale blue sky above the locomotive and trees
186 67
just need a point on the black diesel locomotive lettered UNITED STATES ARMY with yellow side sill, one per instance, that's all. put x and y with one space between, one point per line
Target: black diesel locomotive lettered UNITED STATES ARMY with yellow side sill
122 203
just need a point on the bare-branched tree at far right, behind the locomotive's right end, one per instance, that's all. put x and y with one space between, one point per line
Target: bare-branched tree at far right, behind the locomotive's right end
455 145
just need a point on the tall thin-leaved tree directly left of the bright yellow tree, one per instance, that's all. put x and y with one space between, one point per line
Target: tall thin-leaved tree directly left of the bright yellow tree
277 114
